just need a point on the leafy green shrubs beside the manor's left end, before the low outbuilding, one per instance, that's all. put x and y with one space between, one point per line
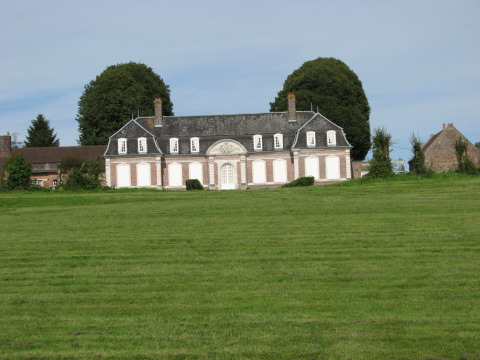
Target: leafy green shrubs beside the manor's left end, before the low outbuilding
80 174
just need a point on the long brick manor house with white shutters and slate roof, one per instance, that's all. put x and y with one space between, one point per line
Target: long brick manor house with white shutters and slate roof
227 151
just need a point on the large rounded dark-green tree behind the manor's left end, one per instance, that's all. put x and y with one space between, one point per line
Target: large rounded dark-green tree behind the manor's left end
109 101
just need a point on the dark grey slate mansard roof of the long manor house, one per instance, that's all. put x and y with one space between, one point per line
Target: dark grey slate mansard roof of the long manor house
211 128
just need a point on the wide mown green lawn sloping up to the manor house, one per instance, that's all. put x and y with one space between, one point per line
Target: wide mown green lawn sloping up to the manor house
361 270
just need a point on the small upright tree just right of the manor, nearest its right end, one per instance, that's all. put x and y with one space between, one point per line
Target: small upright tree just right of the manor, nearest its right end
381 164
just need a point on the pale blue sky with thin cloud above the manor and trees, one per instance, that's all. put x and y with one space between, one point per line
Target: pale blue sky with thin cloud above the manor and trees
418 60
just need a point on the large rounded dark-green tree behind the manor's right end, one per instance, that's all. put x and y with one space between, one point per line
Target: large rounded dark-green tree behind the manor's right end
330 85
